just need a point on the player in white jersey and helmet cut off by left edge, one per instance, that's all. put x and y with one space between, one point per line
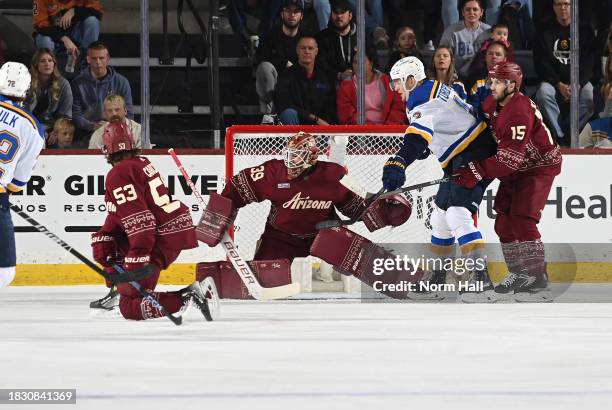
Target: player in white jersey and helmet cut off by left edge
21 139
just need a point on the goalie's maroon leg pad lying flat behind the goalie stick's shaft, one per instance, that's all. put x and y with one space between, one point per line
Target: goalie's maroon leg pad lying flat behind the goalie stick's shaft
270 273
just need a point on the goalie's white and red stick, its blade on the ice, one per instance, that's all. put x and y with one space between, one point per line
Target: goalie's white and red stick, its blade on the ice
244 270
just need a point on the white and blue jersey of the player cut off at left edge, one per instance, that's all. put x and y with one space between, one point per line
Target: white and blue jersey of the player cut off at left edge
21 139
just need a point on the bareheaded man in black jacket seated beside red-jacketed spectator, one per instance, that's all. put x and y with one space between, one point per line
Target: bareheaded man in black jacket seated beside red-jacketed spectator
306 92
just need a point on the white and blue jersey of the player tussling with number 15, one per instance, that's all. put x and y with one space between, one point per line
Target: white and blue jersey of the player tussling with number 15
442 118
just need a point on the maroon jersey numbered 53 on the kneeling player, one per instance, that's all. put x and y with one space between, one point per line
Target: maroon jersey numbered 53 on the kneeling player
142 213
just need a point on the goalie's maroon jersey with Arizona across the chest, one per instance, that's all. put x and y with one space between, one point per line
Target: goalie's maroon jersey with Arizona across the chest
297 204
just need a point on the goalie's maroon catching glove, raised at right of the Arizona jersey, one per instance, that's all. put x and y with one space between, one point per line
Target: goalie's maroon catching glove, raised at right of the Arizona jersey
392 211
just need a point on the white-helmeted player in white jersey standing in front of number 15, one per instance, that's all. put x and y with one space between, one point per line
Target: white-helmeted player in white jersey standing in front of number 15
442 124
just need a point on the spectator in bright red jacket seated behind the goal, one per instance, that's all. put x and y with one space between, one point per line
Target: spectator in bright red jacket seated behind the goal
382 106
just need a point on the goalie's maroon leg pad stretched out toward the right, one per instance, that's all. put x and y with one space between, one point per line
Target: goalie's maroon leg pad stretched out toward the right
352 254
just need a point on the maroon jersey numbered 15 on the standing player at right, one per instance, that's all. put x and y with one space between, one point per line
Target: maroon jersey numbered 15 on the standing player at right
524 142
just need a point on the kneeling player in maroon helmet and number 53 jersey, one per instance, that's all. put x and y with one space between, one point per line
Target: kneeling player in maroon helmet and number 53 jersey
143 226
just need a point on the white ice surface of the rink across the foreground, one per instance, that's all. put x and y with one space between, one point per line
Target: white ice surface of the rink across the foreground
313 354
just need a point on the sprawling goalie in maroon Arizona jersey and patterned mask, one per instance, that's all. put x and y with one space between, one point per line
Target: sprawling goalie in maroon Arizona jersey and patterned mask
303 191
